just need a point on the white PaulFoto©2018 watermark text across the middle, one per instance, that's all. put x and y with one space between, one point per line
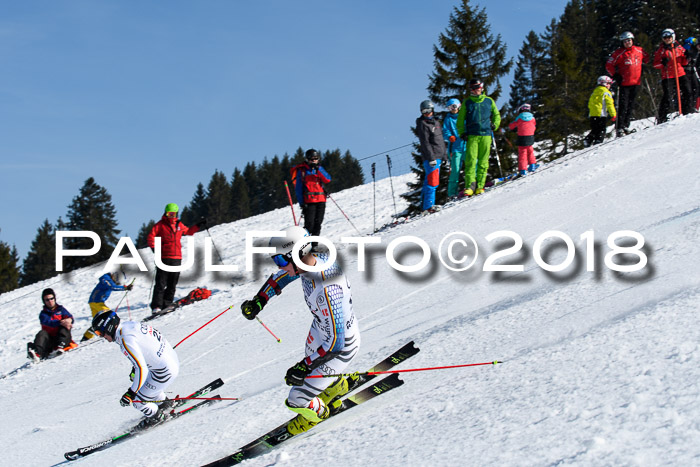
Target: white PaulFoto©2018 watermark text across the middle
457 251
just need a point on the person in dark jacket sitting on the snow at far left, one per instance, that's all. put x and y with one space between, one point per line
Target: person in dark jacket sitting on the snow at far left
56 323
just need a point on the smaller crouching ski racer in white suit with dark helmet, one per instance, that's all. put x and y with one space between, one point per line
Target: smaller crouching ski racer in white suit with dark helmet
155 363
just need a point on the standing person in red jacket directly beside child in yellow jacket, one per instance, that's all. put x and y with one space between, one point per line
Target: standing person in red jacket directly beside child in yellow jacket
625 67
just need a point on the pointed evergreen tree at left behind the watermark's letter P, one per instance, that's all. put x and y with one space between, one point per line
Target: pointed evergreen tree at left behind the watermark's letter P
91 210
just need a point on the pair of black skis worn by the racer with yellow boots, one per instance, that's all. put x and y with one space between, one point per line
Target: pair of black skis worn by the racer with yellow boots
269 440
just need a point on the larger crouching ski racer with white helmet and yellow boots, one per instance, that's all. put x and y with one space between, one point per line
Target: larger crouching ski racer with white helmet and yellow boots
334 337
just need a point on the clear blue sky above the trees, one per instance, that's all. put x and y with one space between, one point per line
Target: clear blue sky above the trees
150 98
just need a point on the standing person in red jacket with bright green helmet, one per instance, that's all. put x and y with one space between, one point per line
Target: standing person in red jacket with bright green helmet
170 230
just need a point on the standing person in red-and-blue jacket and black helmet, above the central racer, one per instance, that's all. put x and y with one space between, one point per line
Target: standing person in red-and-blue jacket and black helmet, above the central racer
309 178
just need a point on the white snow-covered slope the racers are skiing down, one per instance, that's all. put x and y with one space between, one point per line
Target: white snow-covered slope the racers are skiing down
600 368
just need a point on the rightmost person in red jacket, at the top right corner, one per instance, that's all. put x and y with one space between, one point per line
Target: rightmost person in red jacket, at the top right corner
670 59
